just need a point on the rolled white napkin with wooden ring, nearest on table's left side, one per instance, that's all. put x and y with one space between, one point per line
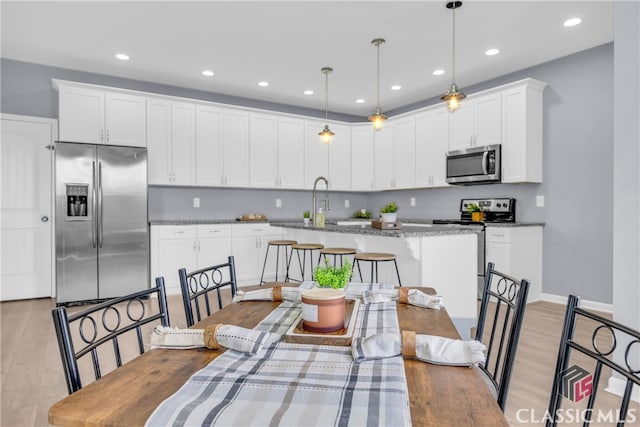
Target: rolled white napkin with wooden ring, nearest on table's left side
214 337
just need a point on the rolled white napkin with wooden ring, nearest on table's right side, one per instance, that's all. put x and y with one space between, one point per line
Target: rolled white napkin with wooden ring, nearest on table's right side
428 348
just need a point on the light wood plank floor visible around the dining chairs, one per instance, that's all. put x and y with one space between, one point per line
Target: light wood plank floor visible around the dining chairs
32 378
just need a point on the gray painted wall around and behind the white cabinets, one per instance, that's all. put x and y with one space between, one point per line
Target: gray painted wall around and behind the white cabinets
578 167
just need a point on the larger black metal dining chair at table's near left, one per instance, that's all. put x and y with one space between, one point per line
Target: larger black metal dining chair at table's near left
84 333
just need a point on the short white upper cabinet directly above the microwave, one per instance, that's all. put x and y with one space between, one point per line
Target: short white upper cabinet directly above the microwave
477 122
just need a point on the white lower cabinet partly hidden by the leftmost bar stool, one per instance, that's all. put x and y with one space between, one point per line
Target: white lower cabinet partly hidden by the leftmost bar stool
249 245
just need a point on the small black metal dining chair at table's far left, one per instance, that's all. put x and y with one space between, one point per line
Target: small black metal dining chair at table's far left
197 285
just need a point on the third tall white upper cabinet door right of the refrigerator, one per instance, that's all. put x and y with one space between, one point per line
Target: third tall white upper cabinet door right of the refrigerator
208 146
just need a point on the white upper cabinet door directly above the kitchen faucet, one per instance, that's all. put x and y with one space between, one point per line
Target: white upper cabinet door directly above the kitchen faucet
316 154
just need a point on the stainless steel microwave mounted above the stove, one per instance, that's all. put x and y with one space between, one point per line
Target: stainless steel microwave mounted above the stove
476 165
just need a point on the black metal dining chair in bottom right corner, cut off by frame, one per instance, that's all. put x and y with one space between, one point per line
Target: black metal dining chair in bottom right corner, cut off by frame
608 345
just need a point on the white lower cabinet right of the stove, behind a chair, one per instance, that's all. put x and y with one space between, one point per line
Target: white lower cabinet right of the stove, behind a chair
517 251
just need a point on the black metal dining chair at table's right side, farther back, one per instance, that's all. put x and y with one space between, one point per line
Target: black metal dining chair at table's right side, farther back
504 299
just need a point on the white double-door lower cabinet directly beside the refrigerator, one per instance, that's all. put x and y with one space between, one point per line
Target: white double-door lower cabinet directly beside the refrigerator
187 246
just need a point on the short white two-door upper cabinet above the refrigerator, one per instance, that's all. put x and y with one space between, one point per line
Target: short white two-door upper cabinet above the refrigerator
96 116
